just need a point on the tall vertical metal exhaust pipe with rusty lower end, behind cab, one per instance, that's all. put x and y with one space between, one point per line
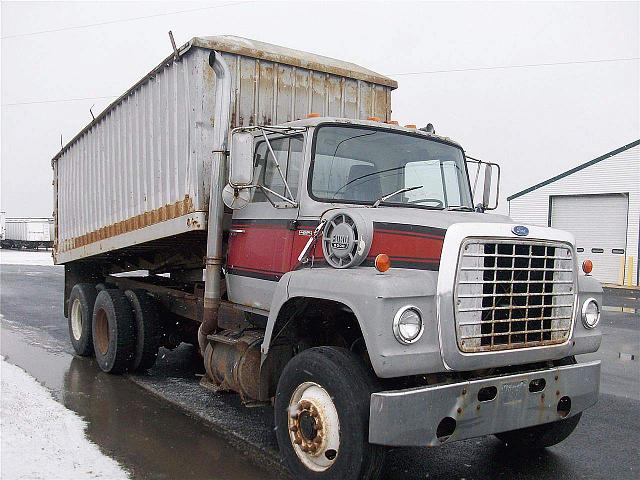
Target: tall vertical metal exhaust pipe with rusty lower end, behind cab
213 263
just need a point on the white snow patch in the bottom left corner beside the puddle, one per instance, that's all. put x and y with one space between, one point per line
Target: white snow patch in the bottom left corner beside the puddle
41 439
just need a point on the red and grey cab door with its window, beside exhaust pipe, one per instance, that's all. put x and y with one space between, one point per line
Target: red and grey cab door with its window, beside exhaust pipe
261 235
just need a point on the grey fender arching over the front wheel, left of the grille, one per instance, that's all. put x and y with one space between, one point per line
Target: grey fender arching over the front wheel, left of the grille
374 298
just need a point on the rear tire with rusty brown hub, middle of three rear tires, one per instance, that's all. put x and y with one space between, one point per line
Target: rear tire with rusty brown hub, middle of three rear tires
113 331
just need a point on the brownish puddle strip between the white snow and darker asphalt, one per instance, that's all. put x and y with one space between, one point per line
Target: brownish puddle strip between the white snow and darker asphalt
151 439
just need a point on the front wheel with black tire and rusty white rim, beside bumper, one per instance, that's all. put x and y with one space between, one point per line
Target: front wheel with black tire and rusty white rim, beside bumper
322 416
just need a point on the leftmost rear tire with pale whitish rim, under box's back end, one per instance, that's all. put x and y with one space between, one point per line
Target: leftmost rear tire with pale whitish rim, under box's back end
81 302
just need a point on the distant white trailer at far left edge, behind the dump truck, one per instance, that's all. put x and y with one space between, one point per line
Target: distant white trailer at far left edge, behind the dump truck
27 232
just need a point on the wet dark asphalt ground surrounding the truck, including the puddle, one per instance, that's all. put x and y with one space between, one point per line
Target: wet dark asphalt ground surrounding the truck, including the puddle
164 425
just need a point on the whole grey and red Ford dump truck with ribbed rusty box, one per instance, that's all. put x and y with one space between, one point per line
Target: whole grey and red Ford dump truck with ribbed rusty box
260 203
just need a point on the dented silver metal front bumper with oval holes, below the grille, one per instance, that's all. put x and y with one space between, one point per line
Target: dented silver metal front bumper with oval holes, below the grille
412 417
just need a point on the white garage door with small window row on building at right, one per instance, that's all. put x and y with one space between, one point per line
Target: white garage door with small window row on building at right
599 223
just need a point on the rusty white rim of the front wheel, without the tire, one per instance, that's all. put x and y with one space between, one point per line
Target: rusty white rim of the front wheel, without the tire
314 426
